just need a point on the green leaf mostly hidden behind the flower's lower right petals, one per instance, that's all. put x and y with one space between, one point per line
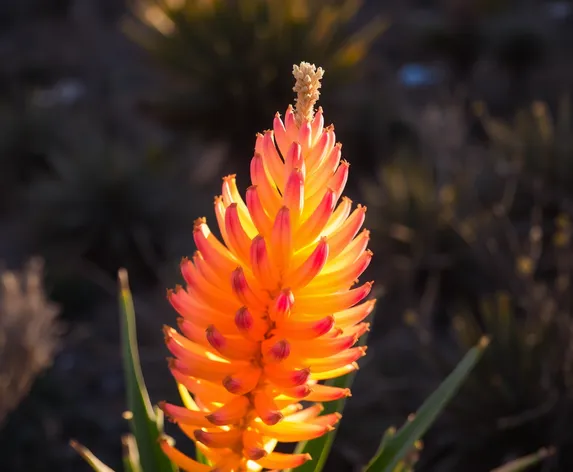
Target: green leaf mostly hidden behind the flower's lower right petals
319 448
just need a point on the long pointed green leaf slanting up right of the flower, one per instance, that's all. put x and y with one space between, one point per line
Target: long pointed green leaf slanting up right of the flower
395 448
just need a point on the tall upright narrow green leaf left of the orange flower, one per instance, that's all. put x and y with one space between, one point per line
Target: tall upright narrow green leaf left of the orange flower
143 421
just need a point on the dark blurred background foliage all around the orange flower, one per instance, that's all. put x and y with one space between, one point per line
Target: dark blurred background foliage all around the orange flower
118 119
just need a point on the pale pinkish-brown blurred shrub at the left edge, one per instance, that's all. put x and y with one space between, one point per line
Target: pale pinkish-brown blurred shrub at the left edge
29 334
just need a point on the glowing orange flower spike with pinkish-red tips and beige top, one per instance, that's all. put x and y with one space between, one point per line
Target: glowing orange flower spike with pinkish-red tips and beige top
272 310
